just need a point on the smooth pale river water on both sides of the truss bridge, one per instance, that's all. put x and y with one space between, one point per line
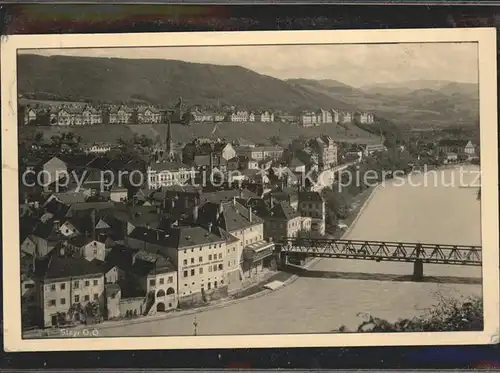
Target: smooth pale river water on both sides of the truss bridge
436 212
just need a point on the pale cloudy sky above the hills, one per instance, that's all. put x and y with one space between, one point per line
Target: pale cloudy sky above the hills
356 65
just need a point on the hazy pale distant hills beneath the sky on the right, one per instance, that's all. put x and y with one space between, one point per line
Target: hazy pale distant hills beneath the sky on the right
419 104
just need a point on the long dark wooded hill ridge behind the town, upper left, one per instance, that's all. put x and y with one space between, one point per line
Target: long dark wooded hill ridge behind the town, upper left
159 82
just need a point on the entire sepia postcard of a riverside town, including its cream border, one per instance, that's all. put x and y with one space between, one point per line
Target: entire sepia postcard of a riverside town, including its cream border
250 189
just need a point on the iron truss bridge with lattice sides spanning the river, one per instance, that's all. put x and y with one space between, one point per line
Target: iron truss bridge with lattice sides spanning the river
384 251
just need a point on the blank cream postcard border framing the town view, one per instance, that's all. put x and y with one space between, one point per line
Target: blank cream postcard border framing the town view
487 51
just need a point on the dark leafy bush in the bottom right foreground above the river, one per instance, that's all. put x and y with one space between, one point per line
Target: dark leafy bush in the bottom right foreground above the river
448 315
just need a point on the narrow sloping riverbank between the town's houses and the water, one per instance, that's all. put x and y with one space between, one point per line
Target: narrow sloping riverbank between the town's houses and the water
258 290
